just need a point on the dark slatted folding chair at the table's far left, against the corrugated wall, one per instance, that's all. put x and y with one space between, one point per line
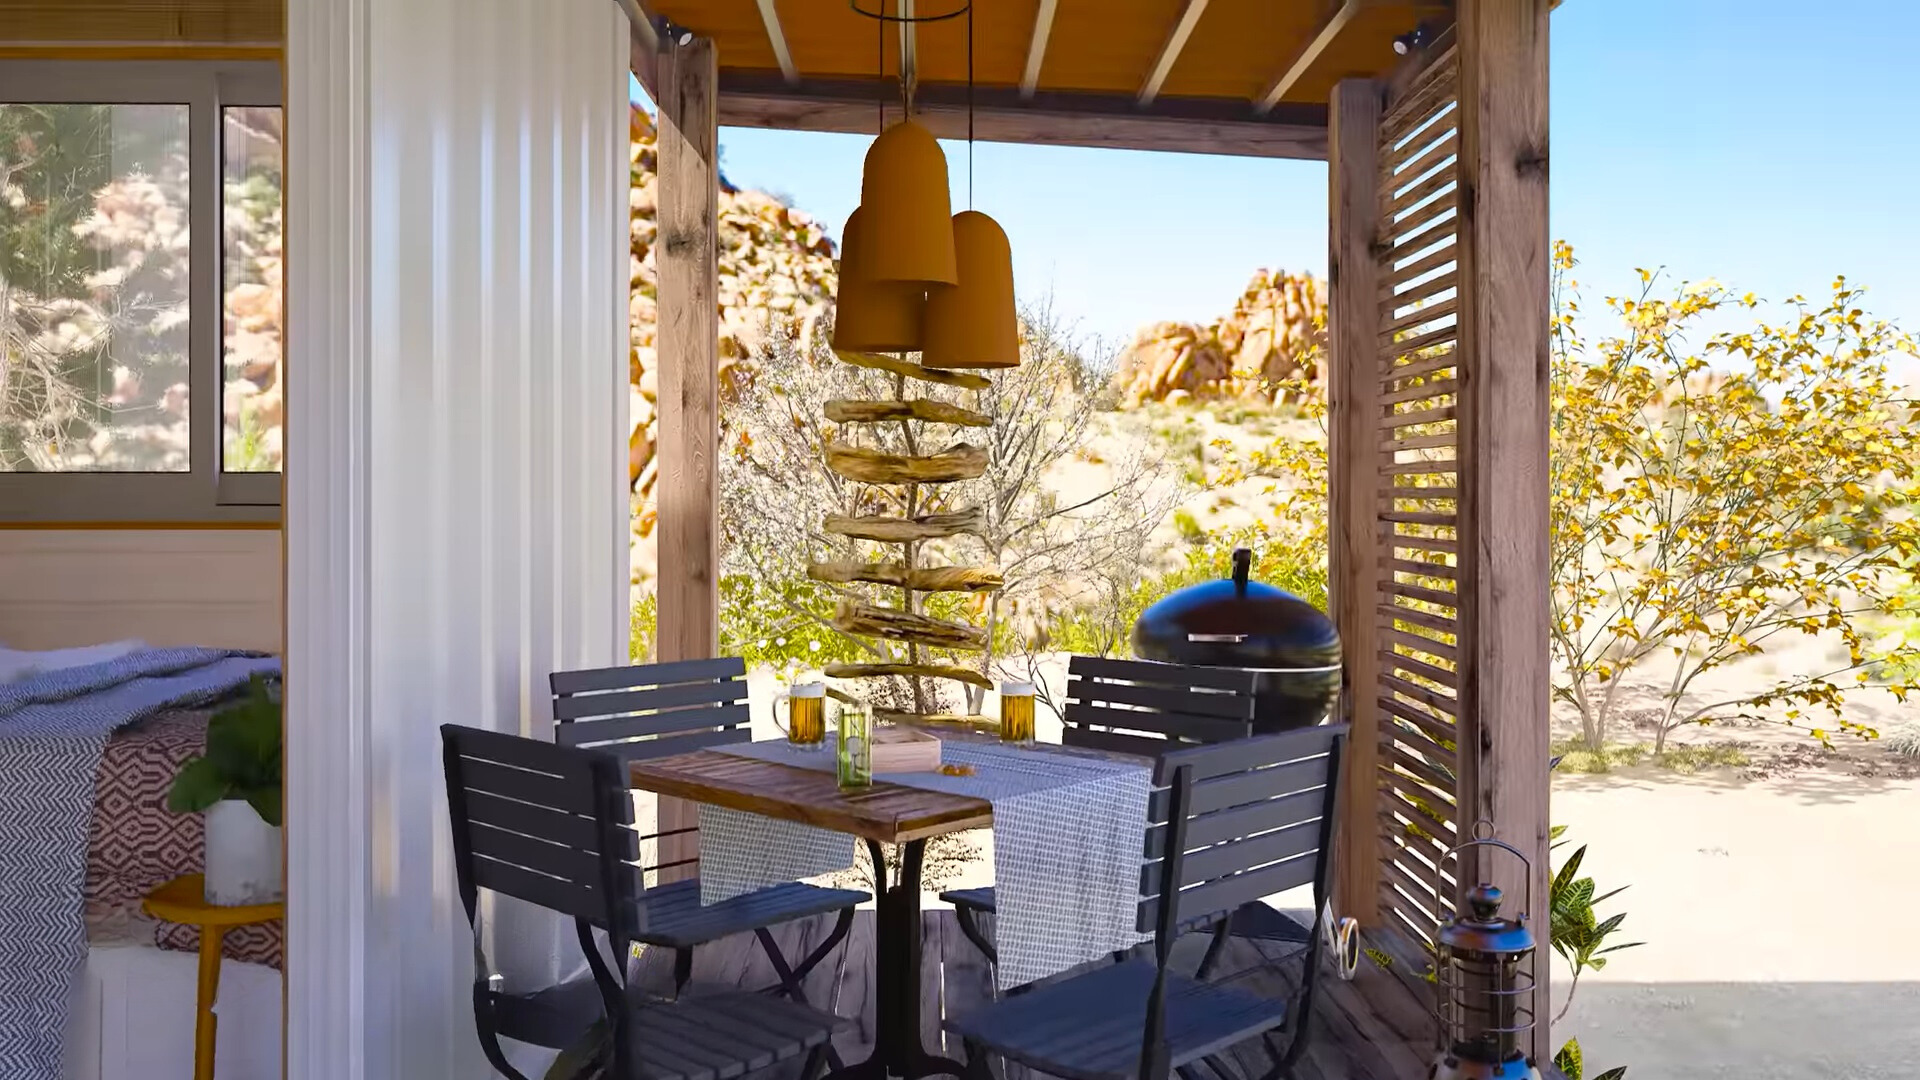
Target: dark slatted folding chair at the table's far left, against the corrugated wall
660 710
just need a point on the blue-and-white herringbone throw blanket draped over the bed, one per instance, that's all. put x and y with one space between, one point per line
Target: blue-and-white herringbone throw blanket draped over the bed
53 731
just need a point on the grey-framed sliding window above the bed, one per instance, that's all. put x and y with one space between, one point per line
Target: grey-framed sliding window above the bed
139 291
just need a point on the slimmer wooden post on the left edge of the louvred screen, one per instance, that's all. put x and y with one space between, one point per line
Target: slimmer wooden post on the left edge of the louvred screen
1355 474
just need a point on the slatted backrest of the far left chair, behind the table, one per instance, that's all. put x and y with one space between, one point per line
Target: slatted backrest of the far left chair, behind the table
654 710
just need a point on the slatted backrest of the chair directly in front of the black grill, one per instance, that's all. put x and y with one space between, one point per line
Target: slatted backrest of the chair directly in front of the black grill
1141 706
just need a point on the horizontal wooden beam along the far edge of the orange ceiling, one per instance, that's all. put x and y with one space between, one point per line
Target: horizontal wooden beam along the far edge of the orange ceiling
1001 114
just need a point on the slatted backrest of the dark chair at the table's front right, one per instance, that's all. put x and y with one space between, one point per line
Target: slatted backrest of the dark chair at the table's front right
1259 822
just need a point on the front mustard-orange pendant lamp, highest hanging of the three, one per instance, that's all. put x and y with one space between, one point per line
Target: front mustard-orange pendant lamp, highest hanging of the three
903 195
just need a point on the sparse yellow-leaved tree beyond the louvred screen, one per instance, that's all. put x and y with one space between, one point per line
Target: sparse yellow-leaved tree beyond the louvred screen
1708 503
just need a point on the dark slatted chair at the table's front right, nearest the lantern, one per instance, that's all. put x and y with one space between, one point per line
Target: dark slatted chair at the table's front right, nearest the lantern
1226 825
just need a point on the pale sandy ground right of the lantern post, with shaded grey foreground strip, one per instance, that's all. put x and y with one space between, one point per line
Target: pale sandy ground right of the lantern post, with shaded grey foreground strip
1775 898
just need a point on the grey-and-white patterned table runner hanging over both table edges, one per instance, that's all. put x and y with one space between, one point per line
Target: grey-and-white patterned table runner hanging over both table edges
1067 839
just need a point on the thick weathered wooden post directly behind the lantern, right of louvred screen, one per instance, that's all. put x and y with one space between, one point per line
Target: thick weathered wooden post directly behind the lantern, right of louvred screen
1504 322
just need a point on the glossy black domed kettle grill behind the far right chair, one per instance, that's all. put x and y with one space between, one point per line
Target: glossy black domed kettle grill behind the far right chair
1251 627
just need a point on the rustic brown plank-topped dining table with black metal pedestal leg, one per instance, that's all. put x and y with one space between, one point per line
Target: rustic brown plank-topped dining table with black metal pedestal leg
880 814
